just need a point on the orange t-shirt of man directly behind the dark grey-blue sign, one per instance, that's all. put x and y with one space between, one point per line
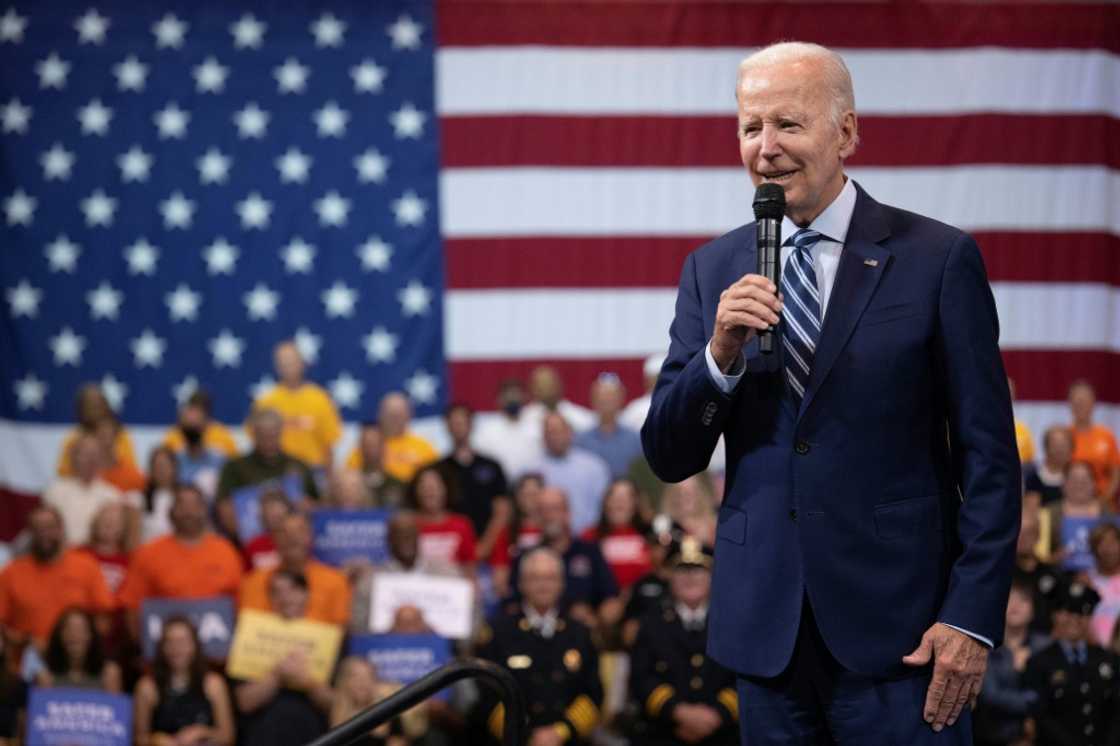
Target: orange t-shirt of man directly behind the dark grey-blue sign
169 568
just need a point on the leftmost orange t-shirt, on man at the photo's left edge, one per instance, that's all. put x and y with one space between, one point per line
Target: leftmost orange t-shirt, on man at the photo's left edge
33 595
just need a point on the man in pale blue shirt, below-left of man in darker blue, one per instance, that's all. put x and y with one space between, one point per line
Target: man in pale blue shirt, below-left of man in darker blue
583 475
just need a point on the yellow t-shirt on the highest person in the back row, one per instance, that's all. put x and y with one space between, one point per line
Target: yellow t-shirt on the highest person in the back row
312 426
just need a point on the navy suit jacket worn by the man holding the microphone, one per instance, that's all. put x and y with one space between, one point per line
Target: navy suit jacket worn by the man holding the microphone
892 496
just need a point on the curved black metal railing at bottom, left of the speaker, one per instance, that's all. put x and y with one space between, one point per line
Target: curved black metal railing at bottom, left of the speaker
422 689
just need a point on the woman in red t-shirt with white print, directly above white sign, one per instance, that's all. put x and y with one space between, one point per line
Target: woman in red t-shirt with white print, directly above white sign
445 537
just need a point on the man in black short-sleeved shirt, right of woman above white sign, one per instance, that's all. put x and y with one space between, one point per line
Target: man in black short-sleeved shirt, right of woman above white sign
477 479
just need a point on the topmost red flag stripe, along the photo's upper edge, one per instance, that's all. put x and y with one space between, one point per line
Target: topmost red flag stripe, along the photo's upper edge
870 25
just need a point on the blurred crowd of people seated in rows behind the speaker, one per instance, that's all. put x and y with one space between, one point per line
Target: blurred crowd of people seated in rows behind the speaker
591 577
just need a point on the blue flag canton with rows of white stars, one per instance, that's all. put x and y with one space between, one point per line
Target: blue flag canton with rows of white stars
183 186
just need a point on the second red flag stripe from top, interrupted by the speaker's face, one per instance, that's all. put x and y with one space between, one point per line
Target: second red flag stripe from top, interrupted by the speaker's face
693 142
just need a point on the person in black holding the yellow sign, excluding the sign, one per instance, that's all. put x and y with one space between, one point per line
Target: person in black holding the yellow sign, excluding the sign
287 707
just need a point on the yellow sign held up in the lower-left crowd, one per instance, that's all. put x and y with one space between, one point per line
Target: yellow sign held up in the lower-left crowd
264 640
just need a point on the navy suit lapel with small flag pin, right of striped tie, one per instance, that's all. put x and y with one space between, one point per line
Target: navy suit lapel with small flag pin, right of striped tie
863 263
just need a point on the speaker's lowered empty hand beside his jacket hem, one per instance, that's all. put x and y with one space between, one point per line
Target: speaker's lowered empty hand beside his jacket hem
959 664
